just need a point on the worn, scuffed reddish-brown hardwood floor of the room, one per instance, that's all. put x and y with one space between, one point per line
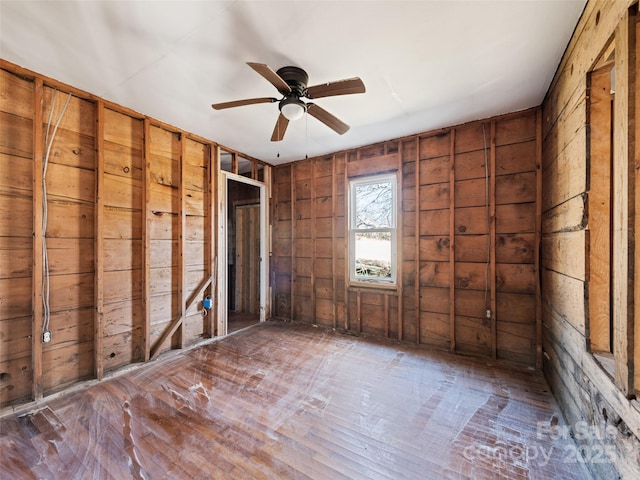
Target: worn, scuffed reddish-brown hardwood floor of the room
280 400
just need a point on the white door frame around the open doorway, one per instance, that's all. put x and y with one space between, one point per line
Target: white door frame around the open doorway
223 248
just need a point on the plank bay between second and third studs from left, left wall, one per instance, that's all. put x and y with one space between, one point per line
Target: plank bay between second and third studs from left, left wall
122 264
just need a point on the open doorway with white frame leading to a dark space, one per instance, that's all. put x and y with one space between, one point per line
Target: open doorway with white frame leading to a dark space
243 244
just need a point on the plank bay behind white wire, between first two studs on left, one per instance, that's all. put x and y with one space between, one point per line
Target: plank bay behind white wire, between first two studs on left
70 162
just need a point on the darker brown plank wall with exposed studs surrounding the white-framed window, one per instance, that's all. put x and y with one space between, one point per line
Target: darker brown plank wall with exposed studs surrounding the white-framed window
468 240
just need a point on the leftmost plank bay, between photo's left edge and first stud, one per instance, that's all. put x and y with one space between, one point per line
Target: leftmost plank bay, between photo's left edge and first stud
17 143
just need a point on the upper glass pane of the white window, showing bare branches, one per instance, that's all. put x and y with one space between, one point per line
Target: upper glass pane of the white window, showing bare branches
373 205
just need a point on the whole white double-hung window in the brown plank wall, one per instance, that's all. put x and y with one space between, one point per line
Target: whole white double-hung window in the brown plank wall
372 229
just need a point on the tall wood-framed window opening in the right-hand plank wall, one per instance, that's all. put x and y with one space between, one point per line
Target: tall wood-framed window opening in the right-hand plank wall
611 245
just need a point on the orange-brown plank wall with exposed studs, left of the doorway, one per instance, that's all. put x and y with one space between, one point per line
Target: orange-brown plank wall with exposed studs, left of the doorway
129 232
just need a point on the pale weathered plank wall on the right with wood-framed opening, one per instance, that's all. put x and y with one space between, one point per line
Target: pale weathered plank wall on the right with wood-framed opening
597 399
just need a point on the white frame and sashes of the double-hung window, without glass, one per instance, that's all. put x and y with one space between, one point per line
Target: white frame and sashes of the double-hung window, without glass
391 281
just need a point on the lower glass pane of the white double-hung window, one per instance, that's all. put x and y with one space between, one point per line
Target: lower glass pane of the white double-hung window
373 255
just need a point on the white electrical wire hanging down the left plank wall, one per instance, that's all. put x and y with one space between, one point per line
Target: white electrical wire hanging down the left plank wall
45 257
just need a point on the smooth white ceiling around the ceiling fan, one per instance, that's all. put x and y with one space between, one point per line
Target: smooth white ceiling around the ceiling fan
425 64
